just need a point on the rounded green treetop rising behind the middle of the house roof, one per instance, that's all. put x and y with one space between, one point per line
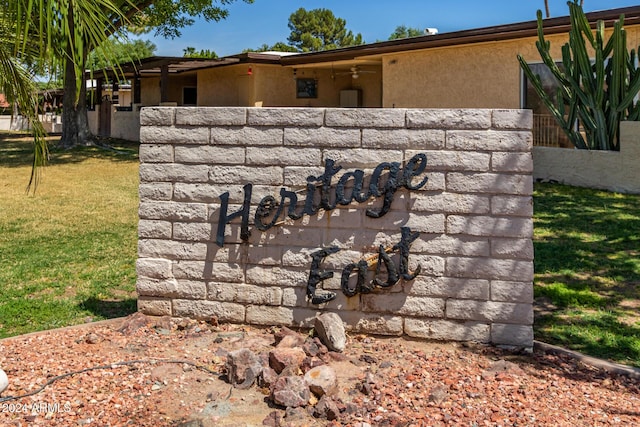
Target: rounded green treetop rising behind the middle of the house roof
319 29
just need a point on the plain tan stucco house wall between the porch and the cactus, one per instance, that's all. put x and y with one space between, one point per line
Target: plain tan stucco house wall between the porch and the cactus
483 75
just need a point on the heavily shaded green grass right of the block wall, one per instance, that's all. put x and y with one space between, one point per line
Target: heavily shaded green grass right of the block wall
587 281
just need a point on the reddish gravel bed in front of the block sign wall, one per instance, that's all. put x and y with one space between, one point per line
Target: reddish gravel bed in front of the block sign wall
170 373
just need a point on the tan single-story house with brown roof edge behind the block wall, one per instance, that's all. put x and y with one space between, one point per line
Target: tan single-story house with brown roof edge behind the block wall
464 69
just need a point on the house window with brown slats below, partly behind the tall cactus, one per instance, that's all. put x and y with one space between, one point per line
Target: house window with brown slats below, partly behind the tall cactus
546 131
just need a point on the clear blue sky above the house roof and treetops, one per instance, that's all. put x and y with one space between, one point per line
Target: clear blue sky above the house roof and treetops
265 21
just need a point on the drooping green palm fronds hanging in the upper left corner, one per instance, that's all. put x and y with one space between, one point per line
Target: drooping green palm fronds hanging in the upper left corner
42 32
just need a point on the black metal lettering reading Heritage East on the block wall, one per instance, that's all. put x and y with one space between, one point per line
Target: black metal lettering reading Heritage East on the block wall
320 194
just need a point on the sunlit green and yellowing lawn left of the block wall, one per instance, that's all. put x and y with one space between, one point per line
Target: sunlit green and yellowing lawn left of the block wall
67 253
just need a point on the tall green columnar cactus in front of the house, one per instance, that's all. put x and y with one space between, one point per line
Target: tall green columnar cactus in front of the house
595 92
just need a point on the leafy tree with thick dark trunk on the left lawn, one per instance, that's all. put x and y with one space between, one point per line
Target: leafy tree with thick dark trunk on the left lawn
166 17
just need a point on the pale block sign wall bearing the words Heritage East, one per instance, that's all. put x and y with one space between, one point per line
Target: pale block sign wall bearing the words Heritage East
465 212
